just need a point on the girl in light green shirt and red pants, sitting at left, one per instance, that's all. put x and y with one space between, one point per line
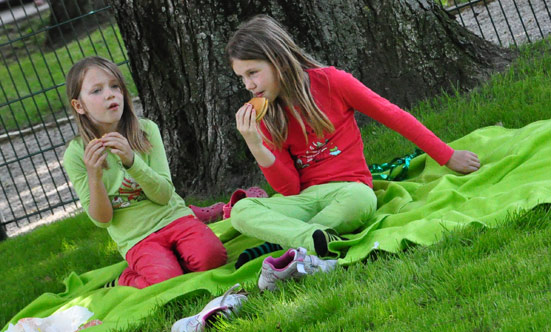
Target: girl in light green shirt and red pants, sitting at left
119 170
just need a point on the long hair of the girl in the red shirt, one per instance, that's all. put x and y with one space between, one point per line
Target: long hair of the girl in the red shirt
263 38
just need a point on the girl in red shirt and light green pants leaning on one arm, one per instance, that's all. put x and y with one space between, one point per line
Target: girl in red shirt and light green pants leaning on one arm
308 145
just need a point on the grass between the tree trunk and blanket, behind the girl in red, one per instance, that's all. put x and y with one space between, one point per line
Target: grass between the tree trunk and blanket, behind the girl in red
513 99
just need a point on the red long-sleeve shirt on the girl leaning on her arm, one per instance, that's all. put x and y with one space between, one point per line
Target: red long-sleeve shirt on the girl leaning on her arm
338 156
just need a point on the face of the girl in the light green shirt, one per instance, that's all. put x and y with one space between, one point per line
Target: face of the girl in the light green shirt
101 99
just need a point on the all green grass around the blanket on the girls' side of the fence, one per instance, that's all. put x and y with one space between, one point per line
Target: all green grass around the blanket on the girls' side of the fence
474 280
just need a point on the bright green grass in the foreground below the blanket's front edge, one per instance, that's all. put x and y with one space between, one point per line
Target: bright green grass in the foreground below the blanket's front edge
474 280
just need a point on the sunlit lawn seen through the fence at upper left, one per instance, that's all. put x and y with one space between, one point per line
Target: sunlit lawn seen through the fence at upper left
28 72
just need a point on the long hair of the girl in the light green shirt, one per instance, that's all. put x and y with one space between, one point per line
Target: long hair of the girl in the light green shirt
128 126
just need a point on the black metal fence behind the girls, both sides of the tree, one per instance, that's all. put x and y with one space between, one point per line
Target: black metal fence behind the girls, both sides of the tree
40 42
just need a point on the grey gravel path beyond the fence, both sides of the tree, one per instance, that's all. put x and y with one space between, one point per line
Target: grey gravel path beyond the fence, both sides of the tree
38 182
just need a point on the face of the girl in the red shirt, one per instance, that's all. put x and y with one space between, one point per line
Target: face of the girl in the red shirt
259 77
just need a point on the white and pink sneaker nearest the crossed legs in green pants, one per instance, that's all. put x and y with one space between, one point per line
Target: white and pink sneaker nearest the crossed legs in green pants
292 265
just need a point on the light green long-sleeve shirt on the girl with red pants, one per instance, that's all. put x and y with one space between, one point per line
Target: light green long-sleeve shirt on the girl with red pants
142 196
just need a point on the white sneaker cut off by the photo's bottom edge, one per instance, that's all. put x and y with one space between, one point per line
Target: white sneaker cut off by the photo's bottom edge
225 305
